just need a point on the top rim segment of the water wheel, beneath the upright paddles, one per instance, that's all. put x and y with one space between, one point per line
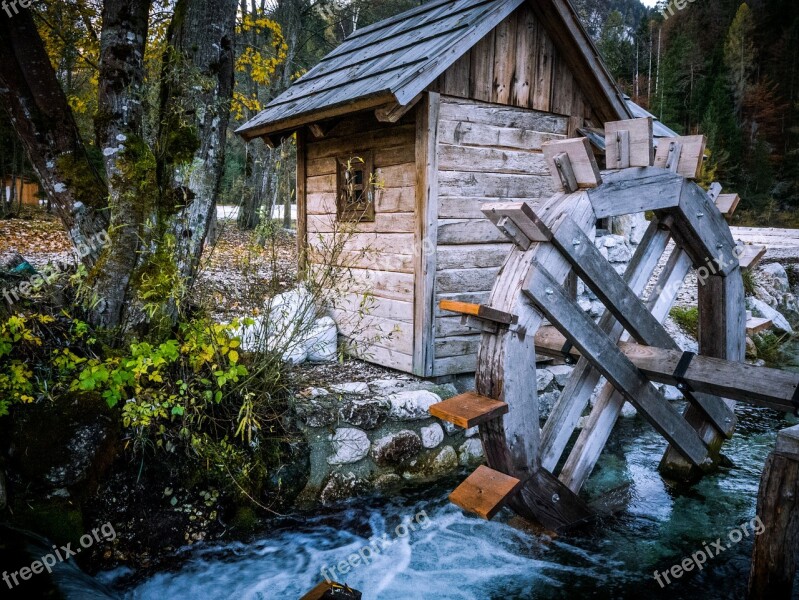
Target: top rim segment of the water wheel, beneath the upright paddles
636 190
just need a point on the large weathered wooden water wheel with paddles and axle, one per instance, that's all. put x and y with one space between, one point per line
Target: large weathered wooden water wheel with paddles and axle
532 309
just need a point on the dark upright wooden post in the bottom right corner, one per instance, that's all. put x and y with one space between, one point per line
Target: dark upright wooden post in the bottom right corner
774 555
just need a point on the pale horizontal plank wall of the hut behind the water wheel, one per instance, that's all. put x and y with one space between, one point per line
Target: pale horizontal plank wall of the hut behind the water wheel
486 153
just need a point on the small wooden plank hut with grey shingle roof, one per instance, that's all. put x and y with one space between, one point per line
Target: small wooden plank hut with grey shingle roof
406 129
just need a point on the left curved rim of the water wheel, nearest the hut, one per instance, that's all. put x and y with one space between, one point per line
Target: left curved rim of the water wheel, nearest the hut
506 371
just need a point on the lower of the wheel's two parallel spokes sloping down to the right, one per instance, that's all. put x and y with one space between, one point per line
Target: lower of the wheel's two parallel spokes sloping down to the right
606 357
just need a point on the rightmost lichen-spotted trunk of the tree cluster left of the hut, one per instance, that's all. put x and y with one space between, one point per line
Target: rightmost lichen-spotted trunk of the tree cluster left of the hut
201 40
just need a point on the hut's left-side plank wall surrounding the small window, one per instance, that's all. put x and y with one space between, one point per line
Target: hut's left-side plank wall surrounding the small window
380 255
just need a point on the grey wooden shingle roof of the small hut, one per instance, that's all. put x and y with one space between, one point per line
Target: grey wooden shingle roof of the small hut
391 61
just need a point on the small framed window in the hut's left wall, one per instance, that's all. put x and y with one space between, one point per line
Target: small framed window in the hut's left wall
355 188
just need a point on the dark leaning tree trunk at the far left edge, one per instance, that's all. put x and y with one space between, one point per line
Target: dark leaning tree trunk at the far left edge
42 119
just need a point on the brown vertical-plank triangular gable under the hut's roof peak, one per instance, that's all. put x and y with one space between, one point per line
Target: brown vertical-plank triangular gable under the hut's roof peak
517 65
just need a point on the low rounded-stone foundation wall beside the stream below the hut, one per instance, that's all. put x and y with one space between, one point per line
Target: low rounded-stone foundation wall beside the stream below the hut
379 436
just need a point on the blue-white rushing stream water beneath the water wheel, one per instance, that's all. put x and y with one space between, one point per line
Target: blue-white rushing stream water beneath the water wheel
441 553
